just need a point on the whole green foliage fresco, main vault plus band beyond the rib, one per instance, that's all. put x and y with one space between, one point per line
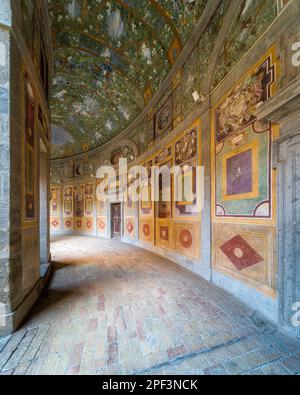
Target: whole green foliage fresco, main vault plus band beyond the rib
112 56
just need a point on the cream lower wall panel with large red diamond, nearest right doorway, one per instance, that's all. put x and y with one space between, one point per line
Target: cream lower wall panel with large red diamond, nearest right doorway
246 253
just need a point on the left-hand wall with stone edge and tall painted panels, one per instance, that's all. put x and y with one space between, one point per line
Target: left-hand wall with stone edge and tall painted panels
24 125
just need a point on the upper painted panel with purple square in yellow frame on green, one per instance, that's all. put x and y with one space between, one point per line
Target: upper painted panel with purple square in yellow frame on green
243 179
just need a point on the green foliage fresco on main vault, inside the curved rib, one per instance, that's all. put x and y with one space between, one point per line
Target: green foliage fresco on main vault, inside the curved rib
110 58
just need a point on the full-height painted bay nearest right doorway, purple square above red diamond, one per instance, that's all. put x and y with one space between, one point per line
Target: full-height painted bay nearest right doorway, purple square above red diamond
243 181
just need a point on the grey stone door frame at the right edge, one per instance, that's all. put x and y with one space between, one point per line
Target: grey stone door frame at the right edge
286 154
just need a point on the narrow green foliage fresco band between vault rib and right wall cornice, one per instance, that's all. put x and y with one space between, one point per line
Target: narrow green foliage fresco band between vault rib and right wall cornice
201 72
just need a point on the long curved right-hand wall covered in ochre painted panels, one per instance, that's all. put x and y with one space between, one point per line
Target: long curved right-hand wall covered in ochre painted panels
240 113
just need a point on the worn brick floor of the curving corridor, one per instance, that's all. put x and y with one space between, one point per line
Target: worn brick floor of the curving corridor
115 309
